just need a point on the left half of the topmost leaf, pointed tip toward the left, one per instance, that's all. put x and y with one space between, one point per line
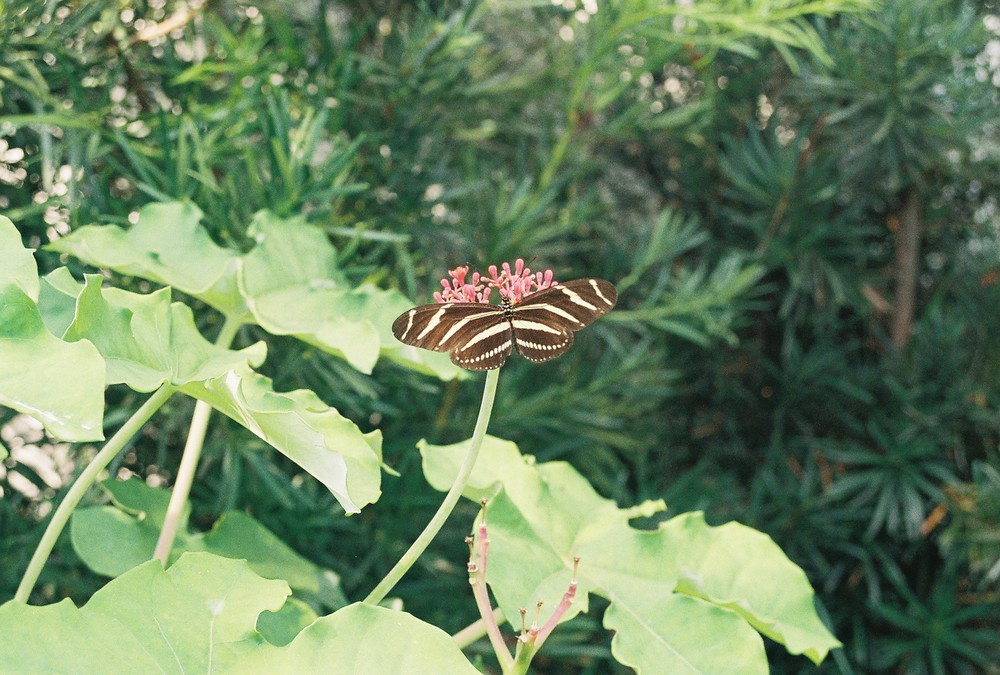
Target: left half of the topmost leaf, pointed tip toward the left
166 245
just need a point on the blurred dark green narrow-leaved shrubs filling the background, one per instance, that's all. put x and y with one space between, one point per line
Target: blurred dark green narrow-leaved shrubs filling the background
798 201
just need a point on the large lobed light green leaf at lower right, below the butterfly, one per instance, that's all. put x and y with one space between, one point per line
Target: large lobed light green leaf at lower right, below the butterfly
541 516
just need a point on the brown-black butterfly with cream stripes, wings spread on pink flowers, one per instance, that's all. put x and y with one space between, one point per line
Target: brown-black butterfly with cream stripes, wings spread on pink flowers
481 336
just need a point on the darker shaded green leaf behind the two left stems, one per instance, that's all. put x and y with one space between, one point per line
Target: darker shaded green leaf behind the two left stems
113 539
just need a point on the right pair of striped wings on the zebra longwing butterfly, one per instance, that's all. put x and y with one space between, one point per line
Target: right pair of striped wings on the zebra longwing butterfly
544 322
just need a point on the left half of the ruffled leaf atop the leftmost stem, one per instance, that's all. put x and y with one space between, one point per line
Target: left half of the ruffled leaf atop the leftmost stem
146 340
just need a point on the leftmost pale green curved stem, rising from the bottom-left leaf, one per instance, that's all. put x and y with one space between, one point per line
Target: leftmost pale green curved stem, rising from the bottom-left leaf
83 483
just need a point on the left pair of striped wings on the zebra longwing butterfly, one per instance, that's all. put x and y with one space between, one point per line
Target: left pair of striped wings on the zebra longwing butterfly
478 336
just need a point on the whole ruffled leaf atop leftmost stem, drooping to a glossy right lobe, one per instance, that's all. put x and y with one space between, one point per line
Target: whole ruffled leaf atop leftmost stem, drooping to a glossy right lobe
147 340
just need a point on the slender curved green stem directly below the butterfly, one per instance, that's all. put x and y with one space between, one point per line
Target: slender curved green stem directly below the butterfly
450 499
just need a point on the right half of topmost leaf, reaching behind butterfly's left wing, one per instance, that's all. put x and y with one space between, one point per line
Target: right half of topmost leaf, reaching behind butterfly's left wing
293 287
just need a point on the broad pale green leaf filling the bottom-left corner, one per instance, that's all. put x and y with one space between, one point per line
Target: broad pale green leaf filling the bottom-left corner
190 618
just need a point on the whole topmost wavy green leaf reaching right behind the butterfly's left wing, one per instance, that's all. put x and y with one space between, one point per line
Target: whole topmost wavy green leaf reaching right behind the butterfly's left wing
289 283
